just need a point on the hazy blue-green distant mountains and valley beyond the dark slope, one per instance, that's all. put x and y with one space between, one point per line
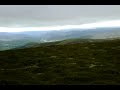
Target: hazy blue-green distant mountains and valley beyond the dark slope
19 39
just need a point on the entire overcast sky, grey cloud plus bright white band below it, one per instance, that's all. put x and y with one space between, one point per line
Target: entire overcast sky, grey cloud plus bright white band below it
15 18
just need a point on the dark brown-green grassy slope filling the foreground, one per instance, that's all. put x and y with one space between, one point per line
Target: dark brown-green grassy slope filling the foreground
79 63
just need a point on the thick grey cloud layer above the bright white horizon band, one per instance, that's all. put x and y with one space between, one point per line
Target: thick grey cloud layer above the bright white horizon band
45 15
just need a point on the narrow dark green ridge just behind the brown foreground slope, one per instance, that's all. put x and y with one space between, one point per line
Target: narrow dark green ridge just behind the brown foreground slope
62 42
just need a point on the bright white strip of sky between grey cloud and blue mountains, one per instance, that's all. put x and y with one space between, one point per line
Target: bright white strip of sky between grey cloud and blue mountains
113 23
